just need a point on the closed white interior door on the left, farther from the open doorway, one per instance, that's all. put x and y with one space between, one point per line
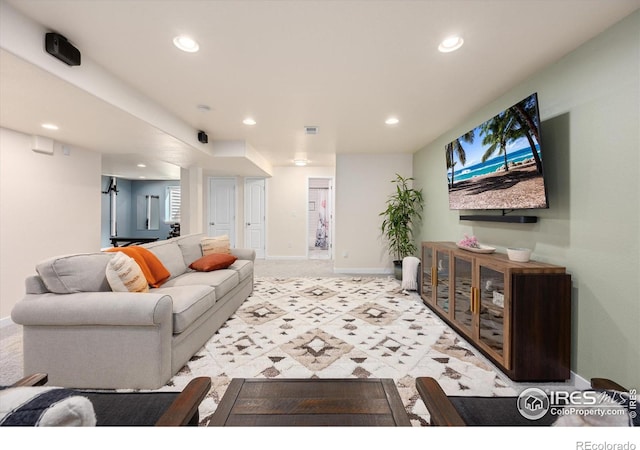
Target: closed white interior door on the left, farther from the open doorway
222 208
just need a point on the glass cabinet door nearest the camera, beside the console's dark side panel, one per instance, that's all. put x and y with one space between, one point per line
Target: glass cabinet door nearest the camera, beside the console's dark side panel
491 309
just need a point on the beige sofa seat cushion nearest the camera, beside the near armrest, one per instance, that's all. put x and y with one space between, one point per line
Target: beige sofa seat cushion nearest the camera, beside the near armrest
189 303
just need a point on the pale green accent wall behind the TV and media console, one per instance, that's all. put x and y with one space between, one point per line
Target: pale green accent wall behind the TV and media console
590 113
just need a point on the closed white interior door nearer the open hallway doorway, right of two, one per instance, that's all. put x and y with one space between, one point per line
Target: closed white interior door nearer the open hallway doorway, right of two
254 216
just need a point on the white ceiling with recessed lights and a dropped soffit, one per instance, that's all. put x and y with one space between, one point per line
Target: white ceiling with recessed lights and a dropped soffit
342 66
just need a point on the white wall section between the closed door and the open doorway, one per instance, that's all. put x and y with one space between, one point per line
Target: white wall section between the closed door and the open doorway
287 206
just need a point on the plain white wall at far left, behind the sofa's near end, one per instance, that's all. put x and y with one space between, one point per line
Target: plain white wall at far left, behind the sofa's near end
50 205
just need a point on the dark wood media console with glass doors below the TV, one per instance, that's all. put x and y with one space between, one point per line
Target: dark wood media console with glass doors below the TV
517 314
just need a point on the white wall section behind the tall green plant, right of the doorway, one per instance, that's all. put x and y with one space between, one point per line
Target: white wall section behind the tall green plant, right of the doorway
363 185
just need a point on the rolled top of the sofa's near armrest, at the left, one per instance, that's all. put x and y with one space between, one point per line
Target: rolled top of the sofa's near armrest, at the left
93 308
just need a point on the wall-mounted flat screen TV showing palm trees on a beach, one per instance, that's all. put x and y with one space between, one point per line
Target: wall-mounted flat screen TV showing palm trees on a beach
498 164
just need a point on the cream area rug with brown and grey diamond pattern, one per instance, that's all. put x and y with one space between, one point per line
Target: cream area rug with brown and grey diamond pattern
340 328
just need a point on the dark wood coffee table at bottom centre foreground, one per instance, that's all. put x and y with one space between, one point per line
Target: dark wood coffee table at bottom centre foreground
311 402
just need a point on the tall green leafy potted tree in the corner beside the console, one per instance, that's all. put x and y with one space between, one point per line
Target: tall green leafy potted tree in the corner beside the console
404 209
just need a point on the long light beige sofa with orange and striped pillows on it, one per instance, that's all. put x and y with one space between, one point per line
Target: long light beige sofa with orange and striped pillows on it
86 336
